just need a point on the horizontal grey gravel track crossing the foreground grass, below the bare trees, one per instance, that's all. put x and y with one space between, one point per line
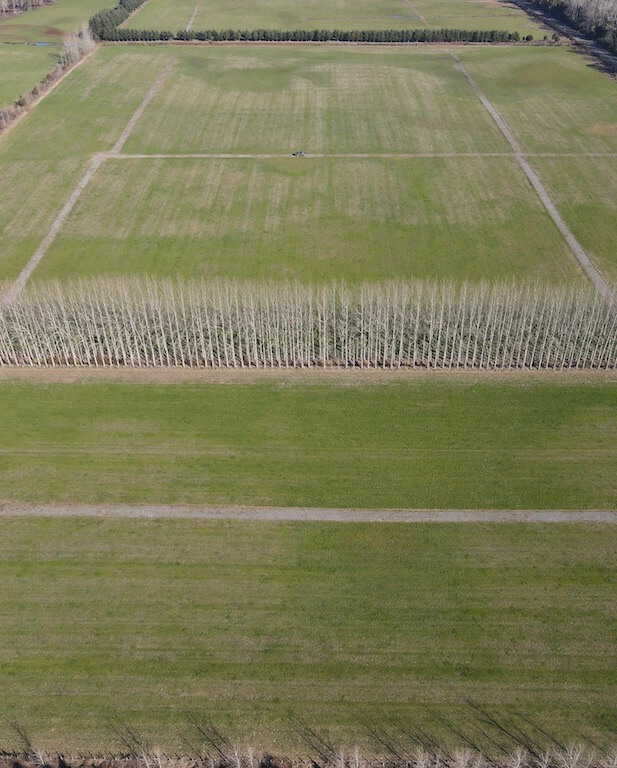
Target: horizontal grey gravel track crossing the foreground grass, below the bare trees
311 514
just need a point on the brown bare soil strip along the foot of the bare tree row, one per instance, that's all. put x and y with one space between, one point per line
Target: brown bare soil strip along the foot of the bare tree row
301 376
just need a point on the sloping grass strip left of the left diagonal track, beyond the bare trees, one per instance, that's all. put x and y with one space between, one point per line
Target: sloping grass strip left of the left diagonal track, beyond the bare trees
43 157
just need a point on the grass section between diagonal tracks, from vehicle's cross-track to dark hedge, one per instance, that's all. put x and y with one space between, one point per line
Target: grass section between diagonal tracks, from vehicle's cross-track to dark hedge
227 99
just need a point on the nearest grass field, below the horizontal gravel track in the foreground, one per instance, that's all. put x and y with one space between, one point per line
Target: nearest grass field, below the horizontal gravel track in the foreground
250 623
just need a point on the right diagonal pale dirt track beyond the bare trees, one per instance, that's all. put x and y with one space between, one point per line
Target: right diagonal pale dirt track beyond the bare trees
580 254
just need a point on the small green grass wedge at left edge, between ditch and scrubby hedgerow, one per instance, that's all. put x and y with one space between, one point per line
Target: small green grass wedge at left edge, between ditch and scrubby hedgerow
21 67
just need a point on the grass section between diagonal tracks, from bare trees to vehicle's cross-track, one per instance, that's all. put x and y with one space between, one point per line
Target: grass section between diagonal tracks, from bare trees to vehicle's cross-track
465 218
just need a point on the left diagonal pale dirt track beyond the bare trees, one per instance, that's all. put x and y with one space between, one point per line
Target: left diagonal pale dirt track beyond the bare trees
98 159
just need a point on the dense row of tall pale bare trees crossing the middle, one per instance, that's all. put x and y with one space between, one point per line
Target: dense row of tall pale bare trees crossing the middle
136 323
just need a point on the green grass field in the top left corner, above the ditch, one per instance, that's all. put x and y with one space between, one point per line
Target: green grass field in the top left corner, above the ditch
49 23
